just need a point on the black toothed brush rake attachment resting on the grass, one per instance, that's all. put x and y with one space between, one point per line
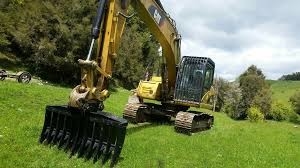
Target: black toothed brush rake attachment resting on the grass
88 134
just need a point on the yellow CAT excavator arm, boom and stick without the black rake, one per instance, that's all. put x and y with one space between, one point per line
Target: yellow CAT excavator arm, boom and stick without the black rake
108 28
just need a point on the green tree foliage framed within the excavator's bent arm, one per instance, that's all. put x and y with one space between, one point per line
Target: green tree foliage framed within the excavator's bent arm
138 50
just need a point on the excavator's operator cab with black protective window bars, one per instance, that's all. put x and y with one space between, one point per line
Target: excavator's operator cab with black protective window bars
194 78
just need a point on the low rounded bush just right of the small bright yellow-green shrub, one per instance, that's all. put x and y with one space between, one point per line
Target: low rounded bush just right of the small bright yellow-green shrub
280 112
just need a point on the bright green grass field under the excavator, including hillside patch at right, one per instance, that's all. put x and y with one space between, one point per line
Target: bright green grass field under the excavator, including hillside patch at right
228 144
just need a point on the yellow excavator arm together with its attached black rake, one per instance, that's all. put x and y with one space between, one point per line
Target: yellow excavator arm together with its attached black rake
82 126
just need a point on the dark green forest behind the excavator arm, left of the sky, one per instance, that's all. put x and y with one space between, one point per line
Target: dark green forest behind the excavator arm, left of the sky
47 37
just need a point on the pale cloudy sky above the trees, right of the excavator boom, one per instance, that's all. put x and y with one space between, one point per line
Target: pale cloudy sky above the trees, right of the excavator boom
239 33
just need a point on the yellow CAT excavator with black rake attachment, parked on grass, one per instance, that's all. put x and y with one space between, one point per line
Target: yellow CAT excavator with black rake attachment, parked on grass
83 128
